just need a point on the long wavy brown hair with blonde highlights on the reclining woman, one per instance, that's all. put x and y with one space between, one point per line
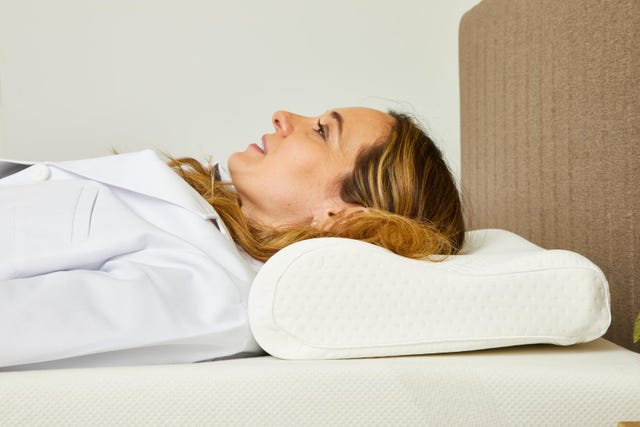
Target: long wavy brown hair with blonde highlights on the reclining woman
413 205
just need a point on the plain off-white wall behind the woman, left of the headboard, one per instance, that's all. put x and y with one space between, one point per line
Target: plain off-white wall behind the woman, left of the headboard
203 77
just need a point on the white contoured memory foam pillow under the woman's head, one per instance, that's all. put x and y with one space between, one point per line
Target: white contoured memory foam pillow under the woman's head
336 298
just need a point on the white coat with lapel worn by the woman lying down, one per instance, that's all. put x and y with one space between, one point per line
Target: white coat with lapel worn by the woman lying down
116 261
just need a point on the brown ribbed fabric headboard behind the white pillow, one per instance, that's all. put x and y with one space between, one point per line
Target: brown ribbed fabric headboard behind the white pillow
550 111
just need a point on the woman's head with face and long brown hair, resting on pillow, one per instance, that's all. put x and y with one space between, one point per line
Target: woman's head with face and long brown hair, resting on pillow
353 172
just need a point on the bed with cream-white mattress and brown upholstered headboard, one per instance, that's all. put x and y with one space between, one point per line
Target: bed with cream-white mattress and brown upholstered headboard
550 111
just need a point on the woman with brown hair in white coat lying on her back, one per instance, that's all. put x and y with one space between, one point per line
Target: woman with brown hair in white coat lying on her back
117 260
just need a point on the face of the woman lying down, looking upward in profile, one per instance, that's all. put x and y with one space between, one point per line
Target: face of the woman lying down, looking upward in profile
292 177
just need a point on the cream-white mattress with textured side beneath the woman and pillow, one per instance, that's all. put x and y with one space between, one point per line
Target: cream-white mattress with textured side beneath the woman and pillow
592 384
